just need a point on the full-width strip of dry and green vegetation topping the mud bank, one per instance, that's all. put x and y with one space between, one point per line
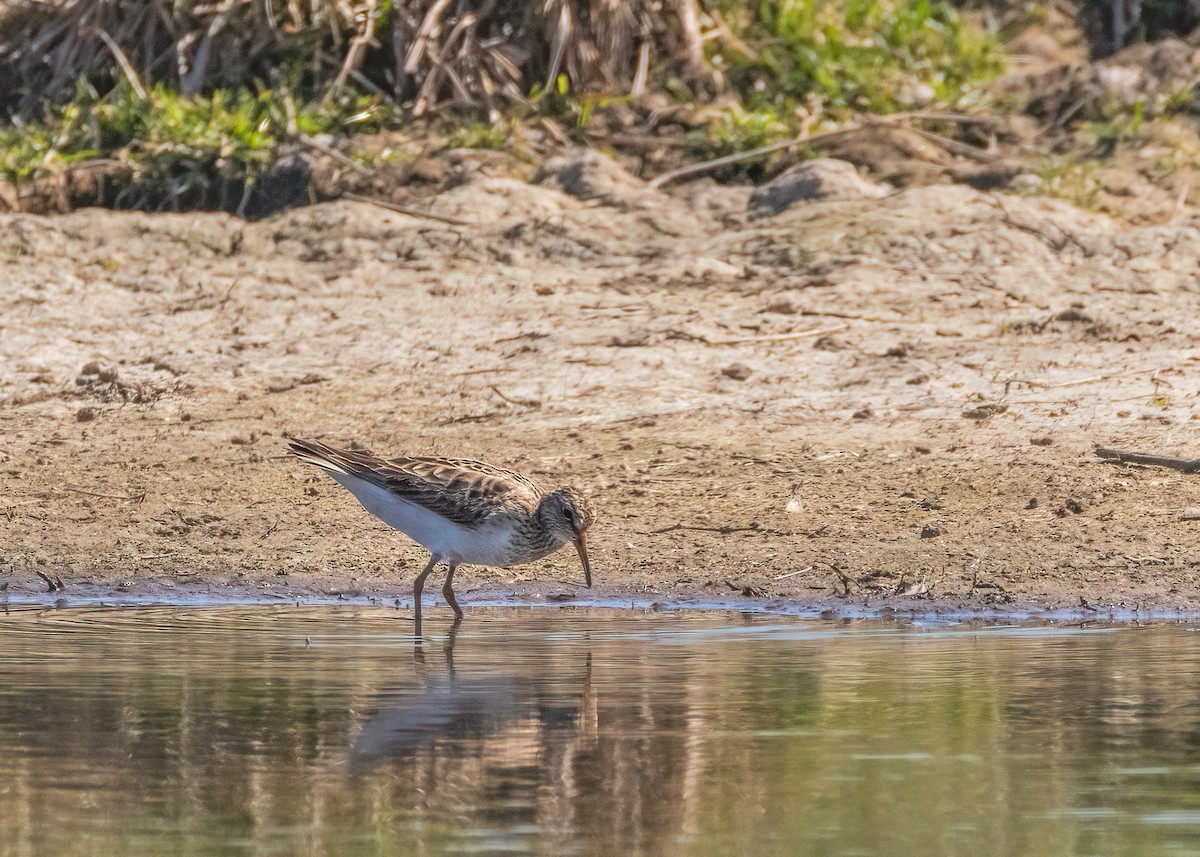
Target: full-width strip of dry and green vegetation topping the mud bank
255 107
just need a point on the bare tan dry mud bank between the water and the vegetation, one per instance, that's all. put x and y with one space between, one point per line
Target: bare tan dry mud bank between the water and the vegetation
878 401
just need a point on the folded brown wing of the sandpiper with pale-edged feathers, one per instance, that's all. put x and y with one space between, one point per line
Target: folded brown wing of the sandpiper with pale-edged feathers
459 490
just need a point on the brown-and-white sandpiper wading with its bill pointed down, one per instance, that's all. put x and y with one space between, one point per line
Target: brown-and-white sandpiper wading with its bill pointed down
463 512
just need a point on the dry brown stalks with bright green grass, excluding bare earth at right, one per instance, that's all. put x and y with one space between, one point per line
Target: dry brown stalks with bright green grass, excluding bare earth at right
171 106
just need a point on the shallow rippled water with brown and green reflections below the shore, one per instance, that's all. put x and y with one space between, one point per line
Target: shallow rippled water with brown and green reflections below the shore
322 732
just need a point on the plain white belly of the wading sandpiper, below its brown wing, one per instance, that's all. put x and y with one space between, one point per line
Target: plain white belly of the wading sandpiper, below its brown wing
488 546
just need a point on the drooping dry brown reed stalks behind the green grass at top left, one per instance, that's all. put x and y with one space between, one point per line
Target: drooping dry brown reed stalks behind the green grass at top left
427 53
